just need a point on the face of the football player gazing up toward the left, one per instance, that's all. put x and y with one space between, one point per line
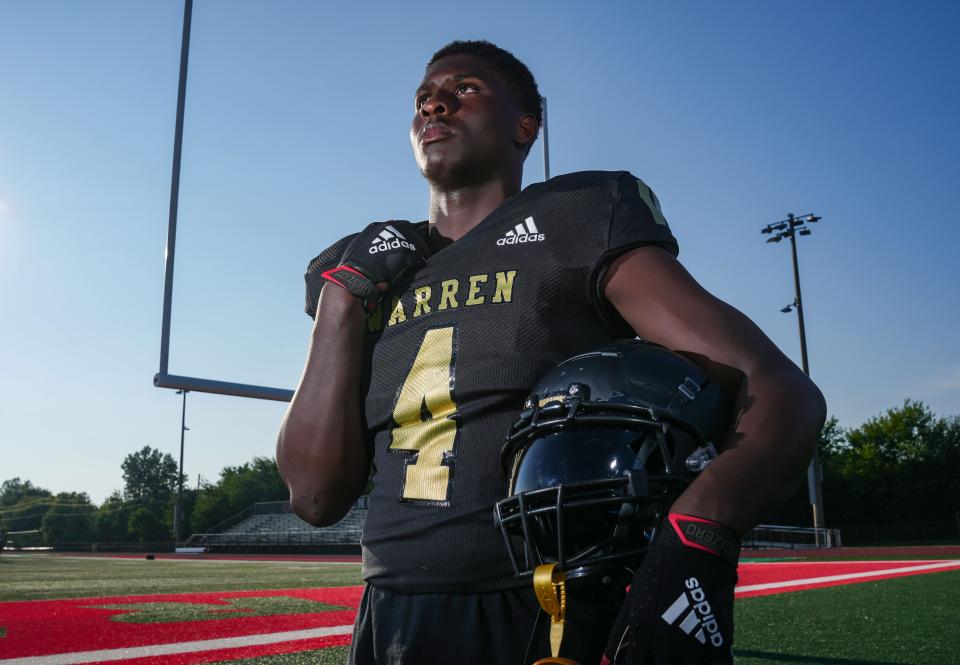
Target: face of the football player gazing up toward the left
463 129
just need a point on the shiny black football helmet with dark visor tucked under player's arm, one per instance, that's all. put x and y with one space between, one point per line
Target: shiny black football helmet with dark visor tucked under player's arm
606 441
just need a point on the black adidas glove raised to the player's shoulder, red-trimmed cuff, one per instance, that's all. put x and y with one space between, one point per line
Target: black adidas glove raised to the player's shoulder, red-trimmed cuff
382 252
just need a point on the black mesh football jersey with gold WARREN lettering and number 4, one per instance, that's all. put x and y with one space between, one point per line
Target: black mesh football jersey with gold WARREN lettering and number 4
452 354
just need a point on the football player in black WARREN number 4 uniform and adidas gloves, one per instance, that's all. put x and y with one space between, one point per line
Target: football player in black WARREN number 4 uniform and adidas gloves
427 339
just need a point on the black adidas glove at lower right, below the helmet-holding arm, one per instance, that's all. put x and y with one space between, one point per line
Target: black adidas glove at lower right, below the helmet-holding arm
679 610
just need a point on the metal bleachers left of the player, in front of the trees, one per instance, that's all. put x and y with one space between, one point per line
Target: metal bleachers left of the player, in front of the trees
272 527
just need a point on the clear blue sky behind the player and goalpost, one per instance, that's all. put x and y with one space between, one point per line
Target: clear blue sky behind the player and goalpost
296 134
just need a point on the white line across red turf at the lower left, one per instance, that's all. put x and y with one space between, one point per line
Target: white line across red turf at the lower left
177 647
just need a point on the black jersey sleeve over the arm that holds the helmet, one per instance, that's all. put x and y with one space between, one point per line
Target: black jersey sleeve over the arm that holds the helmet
636 220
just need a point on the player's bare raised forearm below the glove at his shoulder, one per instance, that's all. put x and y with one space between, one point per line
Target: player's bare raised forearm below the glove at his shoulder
320 449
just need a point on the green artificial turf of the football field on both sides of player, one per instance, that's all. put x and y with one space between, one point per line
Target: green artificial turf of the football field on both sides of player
904 621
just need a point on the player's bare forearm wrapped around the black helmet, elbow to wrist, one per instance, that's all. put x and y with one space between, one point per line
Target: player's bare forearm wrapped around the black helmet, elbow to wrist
763 460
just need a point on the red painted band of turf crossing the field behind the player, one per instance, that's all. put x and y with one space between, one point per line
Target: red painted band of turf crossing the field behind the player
46 627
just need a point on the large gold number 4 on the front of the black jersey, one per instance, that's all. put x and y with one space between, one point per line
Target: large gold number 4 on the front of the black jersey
426 429
